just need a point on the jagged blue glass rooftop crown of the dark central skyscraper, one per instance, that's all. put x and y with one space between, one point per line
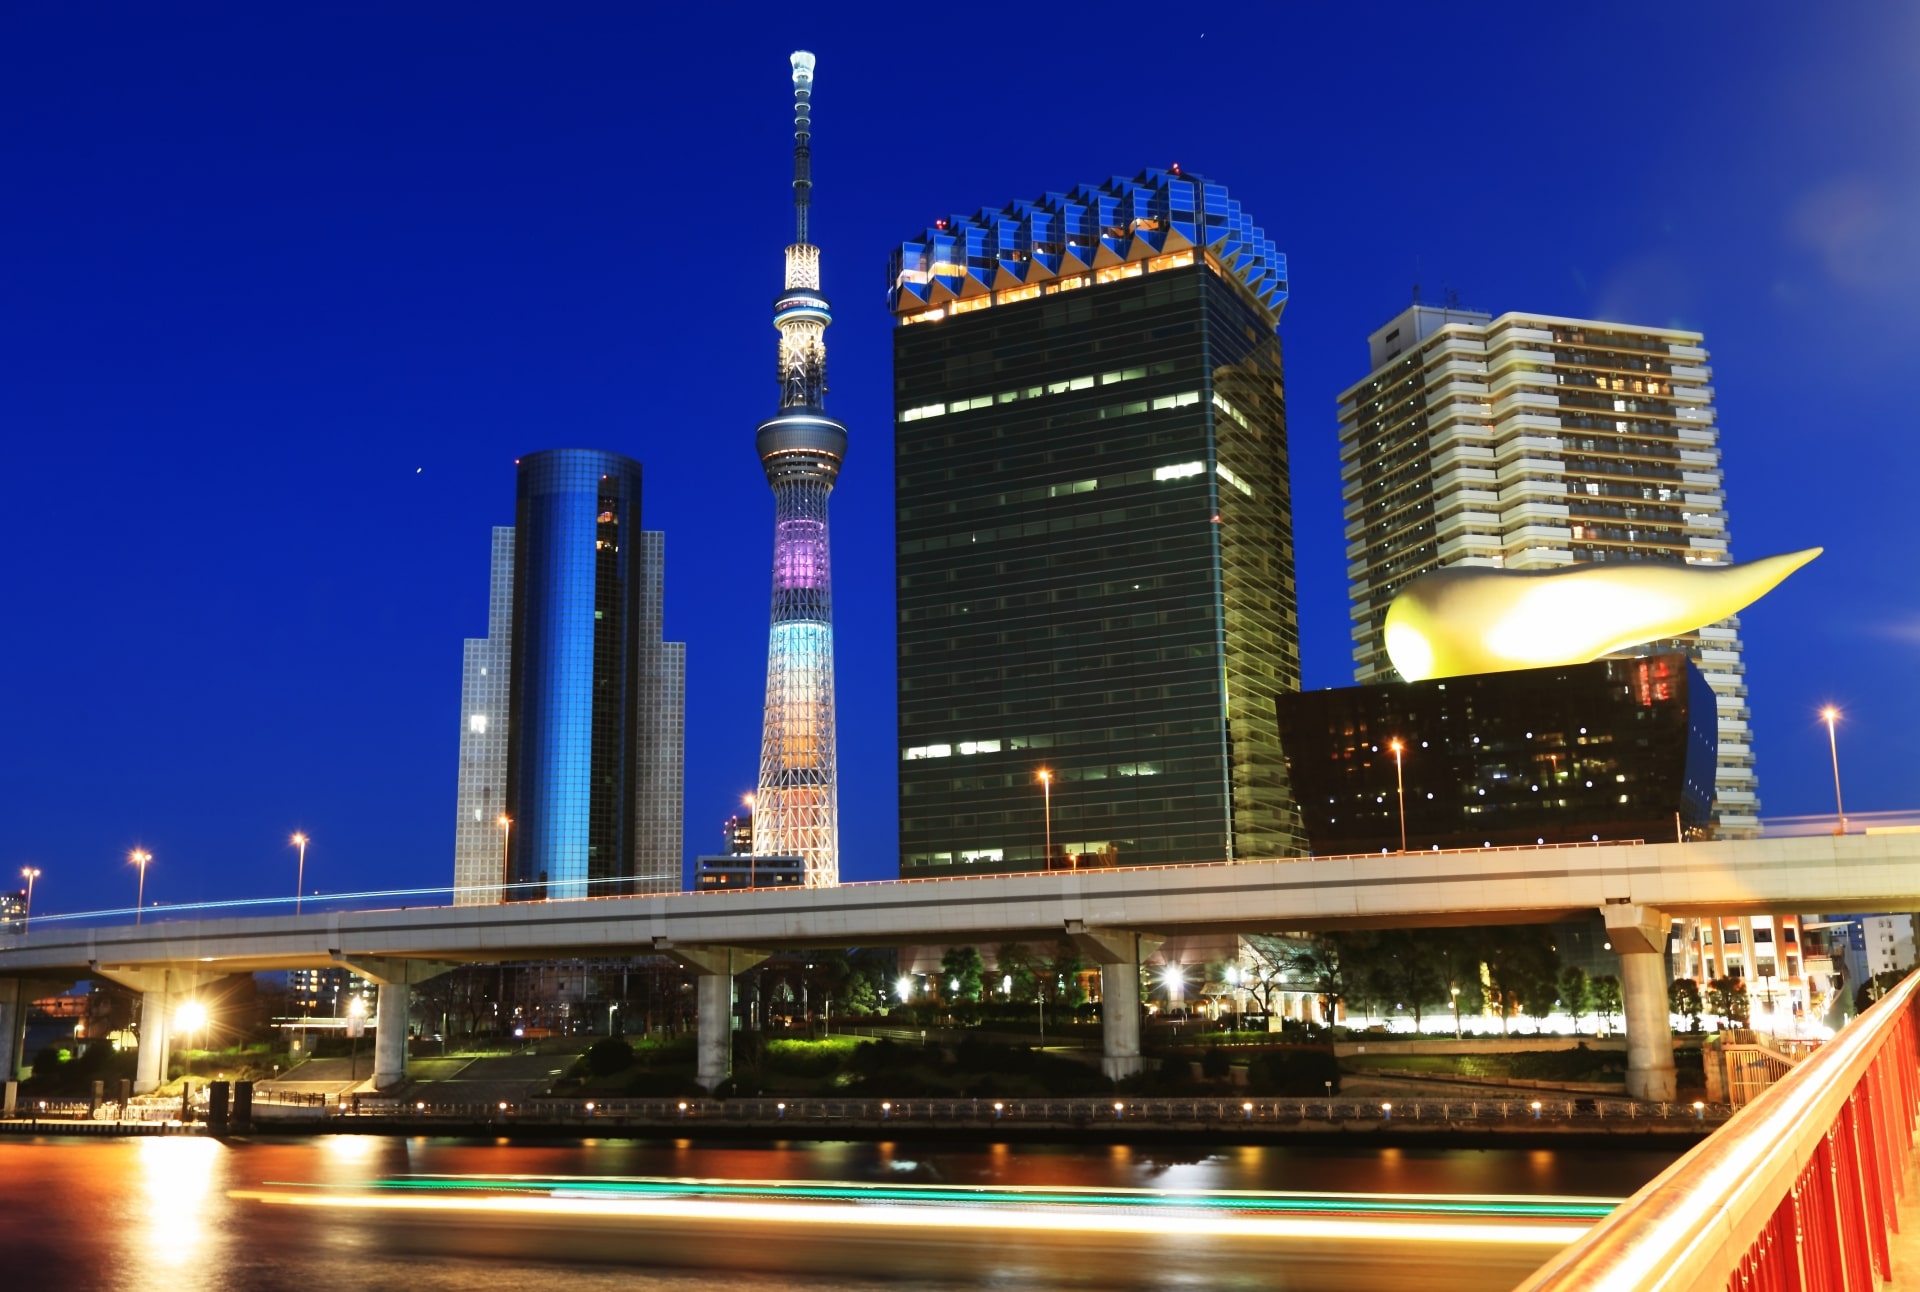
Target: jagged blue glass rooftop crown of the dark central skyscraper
1088 235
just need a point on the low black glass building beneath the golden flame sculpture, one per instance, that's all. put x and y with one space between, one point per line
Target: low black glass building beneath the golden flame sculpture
1606 752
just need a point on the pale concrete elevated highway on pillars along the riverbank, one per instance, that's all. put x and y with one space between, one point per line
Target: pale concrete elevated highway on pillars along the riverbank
1109 913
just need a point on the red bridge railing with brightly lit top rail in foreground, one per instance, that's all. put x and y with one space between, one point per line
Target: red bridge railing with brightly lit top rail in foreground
1796 1193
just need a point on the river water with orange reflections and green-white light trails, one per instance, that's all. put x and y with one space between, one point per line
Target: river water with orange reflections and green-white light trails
368 1212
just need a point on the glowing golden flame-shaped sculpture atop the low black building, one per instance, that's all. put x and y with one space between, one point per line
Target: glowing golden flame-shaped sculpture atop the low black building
1477 621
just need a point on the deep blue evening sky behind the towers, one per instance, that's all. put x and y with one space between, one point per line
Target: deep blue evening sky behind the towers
285 291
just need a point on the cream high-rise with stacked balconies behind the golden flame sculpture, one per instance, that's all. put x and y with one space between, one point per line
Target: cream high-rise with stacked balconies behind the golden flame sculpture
1533 443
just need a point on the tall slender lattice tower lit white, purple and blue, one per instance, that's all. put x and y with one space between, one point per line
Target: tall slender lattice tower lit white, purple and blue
802 448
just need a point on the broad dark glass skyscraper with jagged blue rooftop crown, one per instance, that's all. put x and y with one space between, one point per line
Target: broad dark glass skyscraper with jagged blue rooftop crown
1095 535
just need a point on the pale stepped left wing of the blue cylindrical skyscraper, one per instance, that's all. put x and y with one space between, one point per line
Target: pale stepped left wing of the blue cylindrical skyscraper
479 853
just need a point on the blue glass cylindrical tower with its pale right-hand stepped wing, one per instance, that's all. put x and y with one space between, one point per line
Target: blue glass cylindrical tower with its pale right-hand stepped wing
596 700
